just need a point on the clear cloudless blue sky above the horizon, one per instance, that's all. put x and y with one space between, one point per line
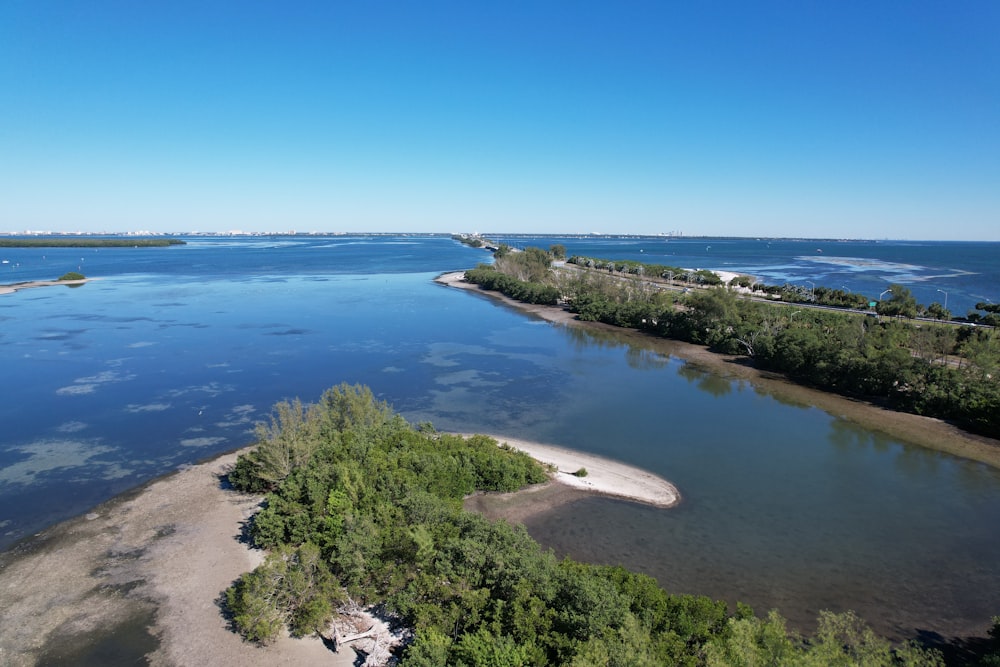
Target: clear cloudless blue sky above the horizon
868 119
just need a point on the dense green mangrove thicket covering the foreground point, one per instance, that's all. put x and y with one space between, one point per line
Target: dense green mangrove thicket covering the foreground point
362 506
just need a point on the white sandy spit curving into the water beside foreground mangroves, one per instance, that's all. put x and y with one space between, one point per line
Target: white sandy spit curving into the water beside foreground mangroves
604 477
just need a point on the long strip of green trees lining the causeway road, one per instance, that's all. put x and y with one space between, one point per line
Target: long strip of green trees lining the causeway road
929 366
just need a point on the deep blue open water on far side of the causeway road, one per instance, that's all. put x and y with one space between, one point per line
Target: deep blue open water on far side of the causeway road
969 272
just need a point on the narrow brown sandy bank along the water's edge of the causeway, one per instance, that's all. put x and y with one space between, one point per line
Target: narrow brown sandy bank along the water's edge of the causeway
927 432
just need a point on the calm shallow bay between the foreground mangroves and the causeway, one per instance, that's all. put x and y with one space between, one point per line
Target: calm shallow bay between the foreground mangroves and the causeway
174 353
